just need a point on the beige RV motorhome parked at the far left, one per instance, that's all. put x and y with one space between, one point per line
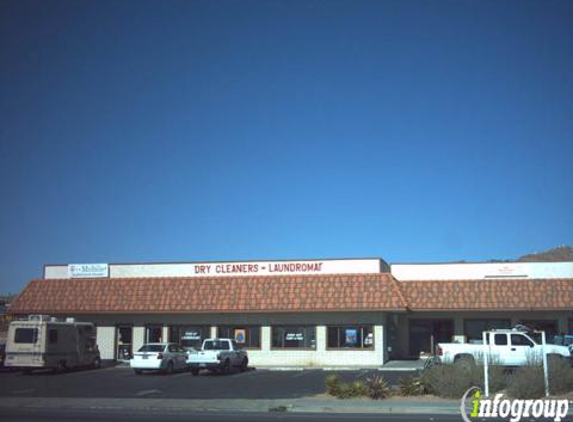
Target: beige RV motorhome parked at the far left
42 342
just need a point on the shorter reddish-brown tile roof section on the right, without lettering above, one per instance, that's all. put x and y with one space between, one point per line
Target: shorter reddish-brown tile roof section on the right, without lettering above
489 294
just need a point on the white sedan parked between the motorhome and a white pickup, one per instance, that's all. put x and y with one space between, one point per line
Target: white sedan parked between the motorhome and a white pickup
167 357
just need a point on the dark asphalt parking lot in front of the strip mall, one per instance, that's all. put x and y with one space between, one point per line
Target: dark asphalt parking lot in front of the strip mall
122 382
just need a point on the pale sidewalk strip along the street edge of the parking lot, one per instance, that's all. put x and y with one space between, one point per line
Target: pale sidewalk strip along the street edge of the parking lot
302 405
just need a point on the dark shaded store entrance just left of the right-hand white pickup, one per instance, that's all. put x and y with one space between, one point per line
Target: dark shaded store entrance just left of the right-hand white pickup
426 334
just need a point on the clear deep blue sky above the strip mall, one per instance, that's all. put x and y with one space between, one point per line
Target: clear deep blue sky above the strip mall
226 130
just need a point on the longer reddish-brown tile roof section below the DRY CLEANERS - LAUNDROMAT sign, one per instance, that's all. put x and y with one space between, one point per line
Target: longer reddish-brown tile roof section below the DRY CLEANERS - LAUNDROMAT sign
225 294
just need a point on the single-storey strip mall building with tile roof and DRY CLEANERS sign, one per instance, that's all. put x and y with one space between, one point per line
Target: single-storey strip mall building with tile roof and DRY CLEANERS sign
350 312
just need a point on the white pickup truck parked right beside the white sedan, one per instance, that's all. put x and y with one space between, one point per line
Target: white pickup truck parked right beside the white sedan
219 355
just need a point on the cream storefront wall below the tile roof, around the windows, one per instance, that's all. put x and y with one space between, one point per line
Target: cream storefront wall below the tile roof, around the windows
319 357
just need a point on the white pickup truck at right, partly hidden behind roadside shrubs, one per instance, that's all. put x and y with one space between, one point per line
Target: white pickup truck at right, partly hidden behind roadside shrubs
503 347
